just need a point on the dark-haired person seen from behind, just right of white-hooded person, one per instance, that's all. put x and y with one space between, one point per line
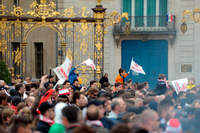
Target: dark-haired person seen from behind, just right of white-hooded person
72 117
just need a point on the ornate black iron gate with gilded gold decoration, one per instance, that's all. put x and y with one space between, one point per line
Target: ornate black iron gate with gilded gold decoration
81 35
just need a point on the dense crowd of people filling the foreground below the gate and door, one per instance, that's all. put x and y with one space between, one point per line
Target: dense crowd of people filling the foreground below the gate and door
125 107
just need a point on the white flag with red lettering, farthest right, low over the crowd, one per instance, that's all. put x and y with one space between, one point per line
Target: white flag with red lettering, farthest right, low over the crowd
180 85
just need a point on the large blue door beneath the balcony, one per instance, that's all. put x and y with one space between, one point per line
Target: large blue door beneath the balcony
151 55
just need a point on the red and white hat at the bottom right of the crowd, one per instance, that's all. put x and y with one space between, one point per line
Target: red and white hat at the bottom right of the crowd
174 126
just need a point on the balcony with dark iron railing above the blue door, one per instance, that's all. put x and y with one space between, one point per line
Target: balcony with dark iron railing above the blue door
145 25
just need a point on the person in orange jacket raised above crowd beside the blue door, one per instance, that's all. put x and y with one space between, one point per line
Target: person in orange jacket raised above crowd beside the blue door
121 76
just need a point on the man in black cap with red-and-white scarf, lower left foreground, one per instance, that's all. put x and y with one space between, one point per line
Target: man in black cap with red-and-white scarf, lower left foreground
45 121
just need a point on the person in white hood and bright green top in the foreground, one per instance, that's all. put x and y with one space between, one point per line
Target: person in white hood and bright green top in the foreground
58 126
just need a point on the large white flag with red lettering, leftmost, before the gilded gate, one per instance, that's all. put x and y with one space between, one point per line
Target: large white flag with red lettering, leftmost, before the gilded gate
63 70
